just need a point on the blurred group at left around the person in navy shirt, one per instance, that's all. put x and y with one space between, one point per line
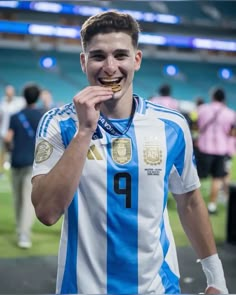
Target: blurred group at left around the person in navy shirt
19 118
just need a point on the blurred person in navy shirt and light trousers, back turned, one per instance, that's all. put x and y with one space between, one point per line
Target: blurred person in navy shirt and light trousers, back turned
21 137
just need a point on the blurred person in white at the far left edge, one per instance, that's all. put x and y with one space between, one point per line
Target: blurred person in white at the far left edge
9 105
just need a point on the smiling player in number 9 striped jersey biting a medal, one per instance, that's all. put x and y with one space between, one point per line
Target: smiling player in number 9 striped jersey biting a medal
105 161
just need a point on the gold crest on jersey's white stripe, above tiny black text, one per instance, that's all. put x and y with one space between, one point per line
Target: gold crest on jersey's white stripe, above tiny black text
152 152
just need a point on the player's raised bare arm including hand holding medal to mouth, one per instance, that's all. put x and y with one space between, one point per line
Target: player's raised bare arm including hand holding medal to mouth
53 192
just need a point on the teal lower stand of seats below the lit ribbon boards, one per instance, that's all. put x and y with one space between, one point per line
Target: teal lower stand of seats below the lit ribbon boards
66 78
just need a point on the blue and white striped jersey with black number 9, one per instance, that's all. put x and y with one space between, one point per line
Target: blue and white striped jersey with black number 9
116 236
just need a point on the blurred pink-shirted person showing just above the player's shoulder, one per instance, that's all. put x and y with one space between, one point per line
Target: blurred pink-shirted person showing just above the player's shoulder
165 99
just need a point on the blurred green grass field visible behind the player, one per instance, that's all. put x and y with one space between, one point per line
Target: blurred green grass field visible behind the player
46 239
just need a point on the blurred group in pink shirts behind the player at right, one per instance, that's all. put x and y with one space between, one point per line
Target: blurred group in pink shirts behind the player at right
212 126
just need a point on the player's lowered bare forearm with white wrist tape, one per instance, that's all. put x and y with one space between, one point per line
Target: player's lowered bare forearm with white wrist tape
195 220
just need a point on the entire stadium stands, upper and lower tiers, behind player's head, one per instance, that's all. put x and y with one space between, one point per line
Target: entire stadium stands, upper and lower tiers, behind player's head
194 78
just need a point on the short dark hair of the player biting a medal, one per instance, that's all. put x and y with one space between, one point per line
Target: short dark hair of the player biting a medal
108 22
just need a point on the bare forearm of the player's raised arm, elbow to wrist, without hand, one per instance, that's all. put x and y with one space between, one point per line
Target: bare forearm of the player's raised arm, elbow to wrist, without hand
52 193
